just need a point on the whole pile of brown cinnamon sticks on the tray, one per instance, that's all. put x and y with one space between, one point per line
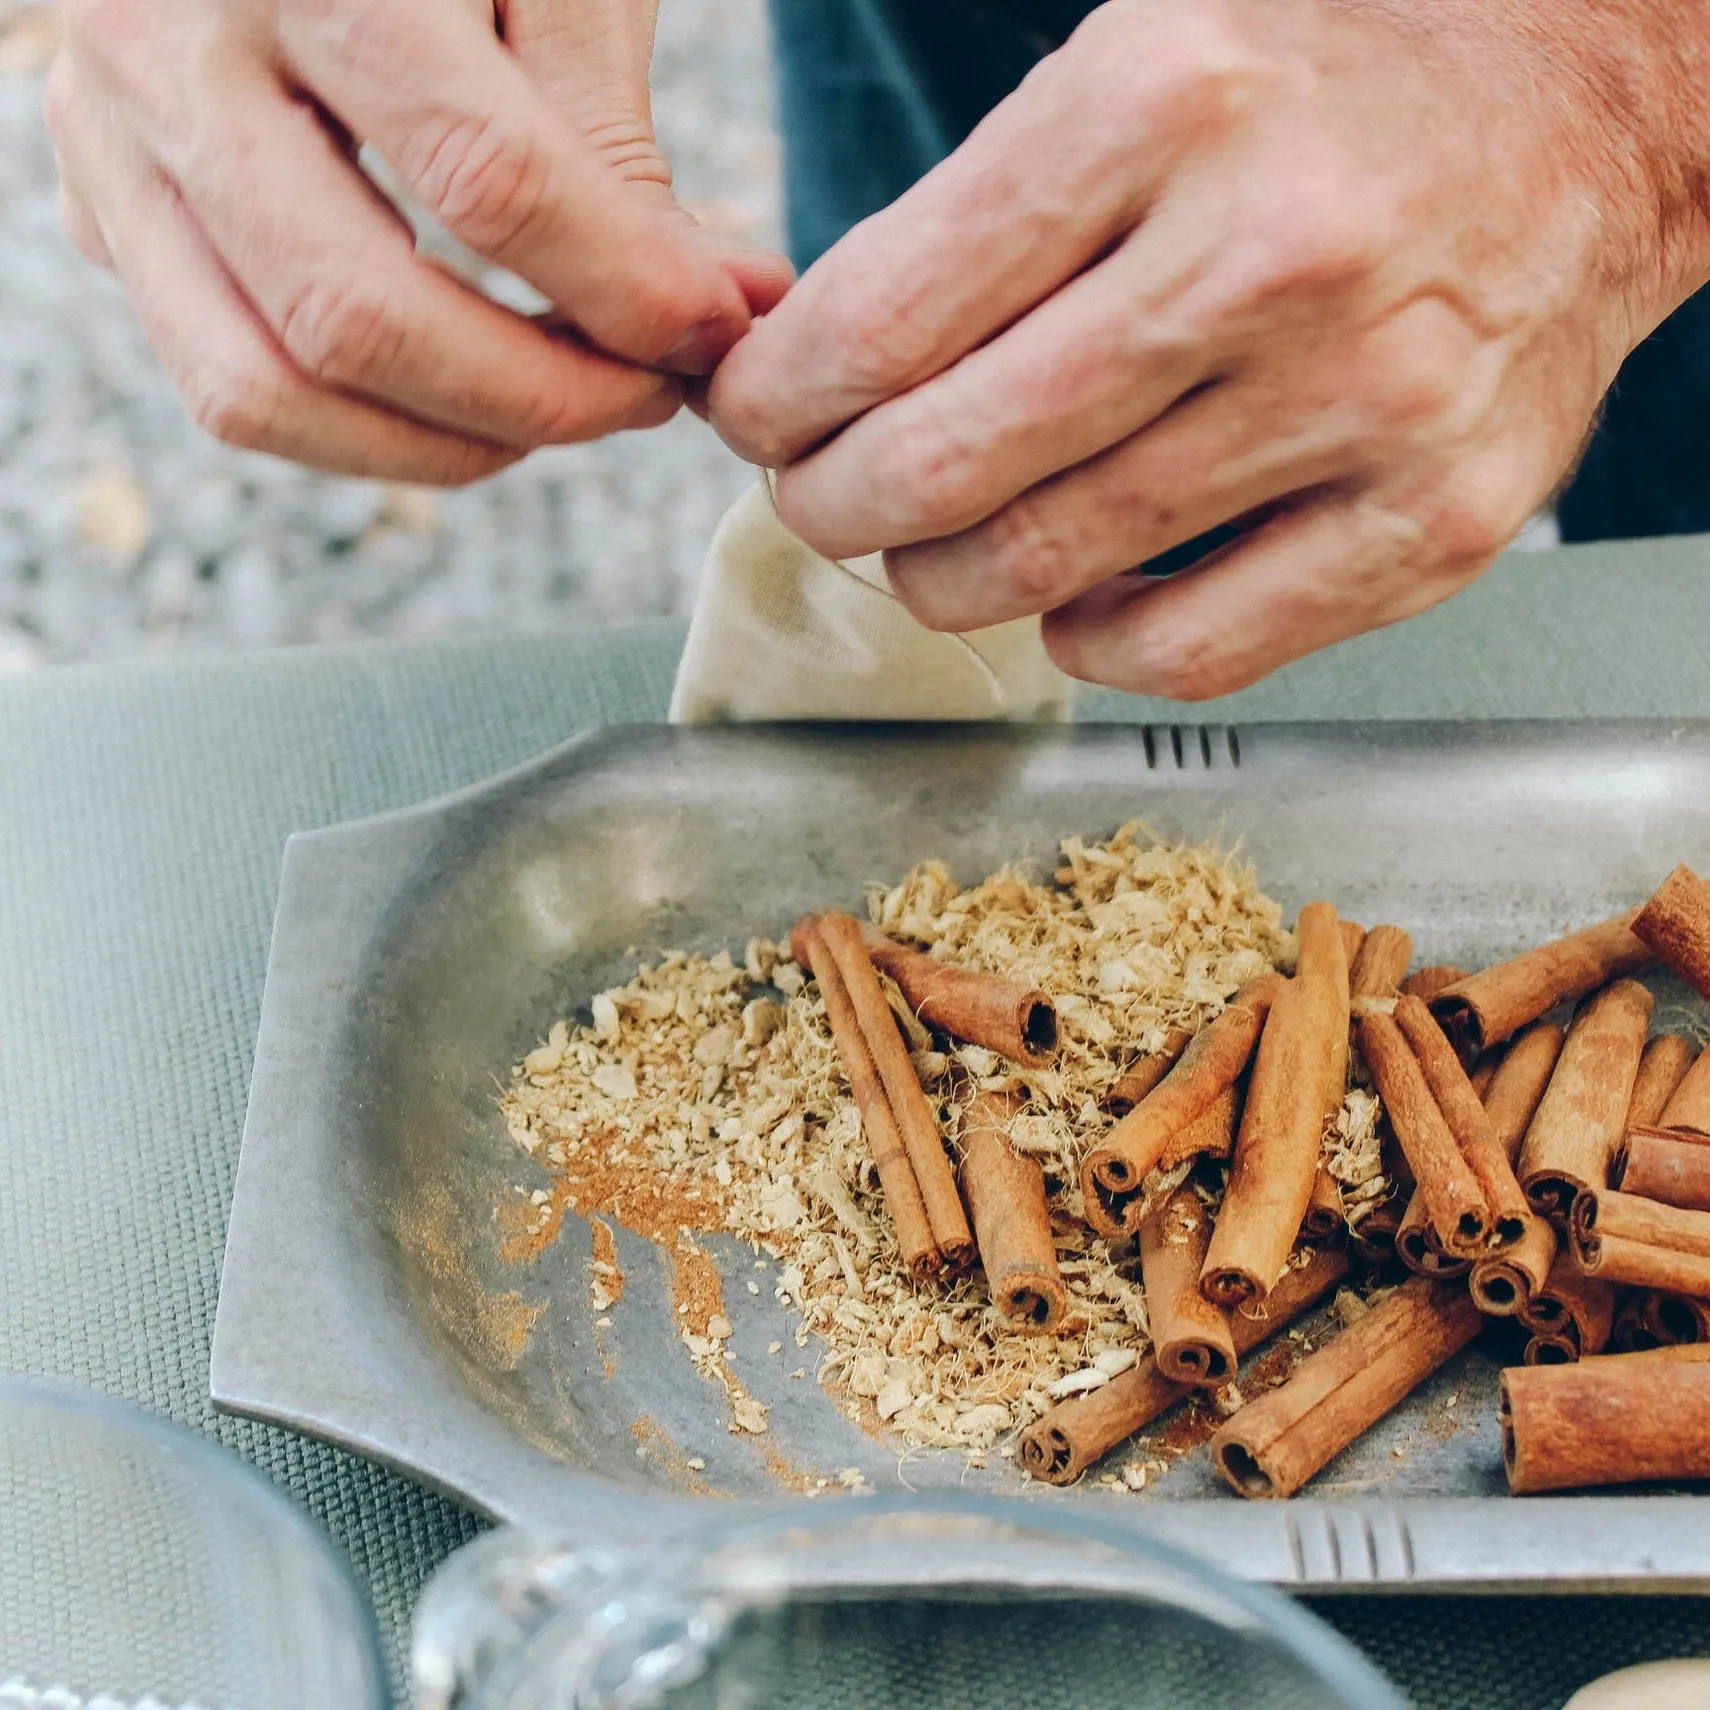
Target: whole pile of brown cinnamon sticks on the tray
1557 1176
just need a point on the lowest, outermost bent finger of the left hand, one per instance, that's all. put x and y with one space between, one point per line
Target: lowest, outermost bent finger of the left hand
233 377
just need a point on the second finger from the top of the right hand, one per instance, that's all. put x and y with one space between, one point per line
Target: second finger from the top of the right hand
1088 369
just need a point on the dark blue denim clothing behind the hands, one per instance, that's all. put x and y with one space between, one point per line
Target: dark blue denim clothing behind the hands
875 93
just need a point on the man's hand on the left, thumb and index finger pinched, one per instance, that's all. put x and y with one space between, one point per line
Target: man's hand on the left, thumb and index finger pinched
208 158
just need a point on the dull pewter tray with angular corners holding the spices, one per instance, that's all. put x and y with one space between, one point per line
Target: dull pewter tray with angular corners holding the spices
422 953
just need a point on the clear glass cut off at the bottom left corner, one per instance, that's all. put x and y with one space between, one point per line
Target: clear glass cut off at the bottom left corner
141 1564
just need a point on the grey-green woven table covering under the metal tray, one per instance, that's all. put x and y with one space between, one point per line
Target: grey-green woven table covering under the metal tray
143 811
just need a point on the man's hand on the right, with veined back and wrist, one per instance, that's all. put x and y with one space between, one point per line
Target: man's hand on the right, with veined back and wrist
1350 274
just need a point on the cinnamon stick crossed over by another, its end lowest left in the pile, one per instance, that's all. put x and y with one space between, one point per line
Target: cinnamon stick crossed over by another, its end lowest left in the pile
1070 1437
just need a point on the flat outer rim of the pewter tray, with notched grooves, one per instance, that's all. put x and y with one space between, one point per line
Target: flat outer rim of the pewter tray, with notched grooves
374 1405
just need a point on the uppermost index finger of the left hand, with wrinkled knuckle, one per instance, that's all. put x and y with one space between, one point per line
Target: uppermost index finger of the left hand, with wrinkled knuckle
478 143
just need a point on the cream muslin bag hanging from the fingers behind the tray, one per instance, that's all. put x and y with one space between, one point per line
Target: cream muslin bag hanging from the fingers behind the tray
781 632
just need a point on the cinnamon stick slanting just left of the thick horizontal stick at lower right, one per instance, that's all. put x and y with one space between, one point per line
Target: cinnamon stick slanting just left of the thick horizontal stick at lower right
1275 1444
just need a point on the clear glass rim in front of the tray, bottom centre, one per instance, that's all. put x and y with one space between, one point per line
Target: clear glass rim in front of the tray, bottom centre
871 1605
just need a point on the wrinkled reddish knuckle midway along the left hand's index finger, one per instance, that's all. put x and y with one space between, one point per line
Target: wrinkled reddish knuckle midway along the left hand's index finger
490 184
